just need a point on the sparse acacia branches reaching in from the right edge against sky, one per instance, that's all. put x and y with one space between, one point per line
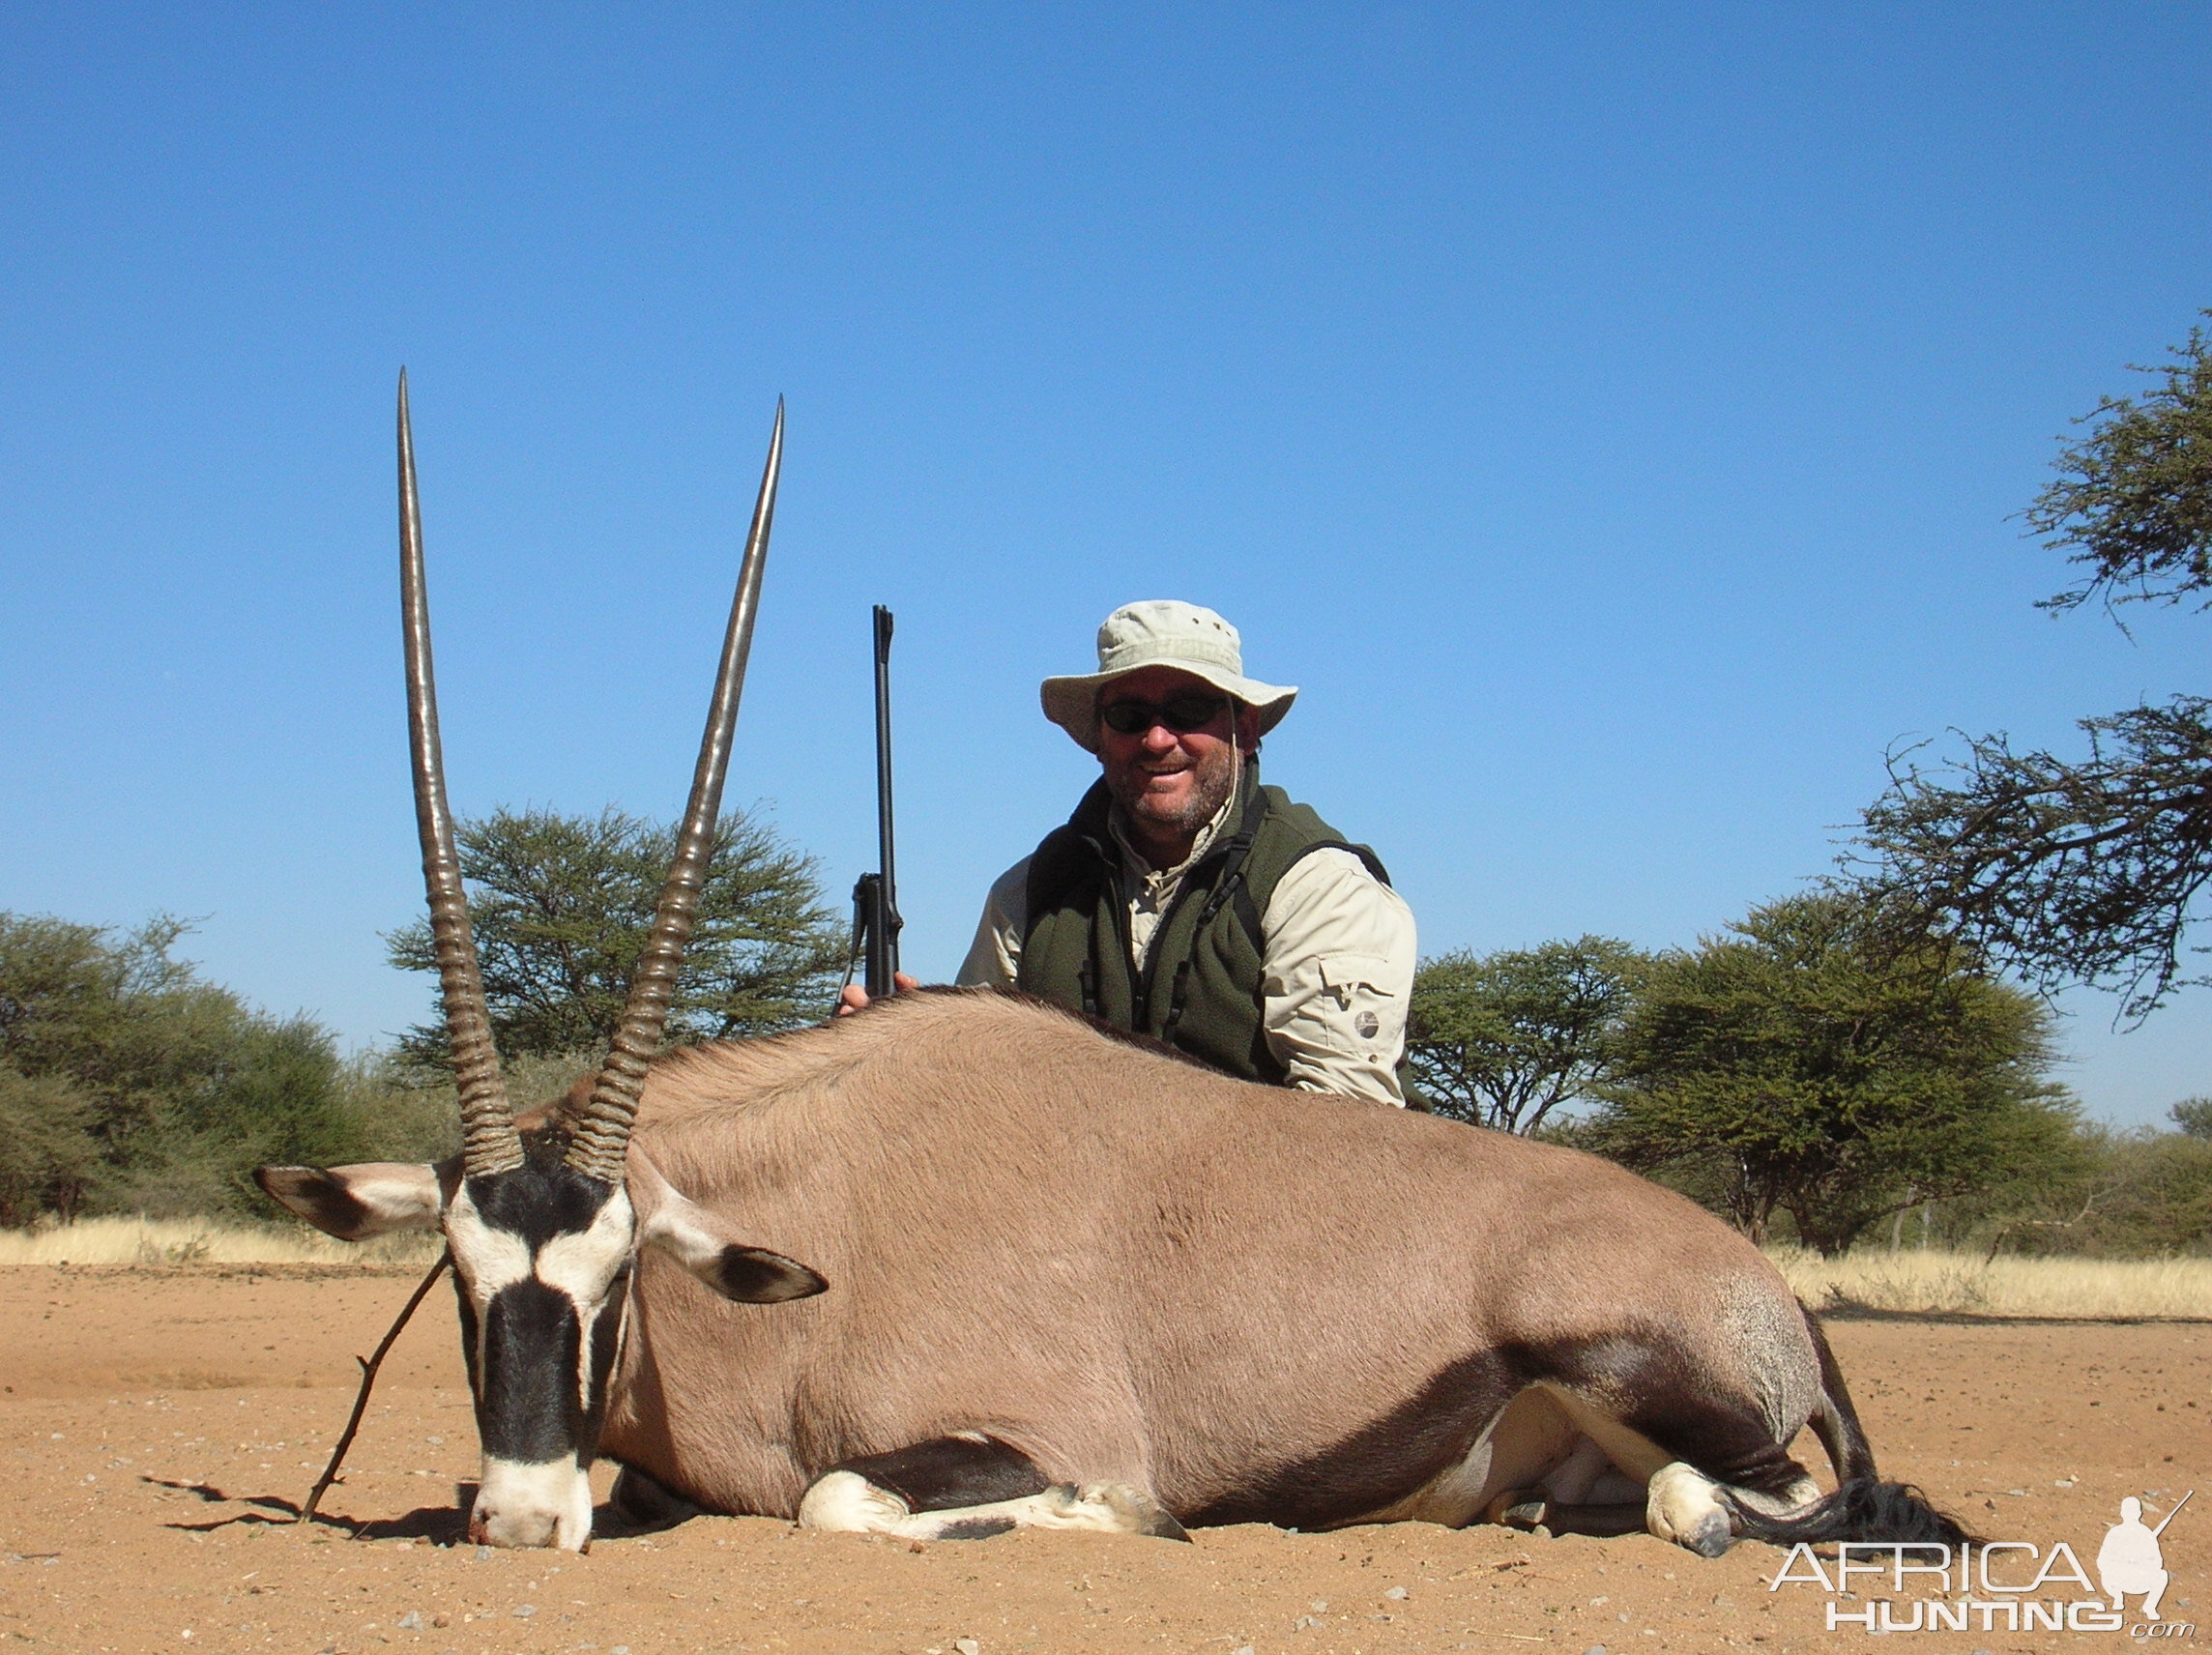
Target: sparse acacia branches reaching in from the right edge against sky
2087 871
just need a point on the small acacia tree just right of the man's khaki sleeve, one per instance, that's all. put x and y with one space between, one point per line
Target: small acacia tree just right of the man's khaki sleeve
1507 1039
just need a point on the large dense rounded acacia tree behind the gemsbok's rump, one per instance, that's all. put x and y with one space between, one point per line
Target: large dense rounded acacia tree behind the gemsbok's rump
1824 1063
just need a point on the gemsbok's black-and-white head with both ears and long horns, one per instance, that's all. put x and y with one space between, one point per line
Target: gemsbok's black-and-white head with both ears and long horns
545 1231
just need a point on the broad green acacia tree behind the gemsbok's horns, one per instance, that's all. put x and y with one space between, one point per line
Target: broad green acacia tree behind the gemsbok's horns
563 908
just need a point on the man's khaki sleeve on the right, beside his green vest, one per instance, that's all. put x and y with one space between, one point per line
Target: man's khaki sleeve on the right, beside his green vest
1339 959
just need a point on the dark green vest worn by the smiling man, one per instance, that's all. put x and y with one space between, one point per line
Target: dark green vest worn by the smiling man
1200 988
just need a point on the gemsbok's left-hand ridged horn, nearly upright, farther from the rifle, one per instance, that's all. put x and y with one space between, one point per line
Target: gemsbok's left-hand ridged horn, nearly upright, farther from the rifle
488 1123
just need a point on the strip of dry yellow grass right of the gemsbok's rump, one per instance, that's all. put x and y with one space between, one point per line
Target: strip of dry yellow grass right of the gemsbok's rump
1912 1280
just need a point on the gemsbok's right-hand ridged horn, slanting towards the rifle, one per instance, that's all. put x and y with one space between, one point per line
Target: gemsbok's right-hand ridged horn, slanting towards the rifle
603 1138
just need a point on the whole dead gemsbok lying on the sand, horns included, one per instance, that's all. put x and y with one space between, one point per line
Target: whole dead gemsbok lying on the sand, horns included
970 1262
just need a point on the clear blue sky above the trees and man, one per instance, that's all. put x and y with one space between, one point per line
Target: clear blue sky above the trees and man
1607 415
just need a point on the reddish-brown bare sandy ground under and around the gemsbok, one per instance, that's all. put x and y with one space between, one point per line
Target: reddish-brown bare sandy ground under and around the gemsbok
163 1426
